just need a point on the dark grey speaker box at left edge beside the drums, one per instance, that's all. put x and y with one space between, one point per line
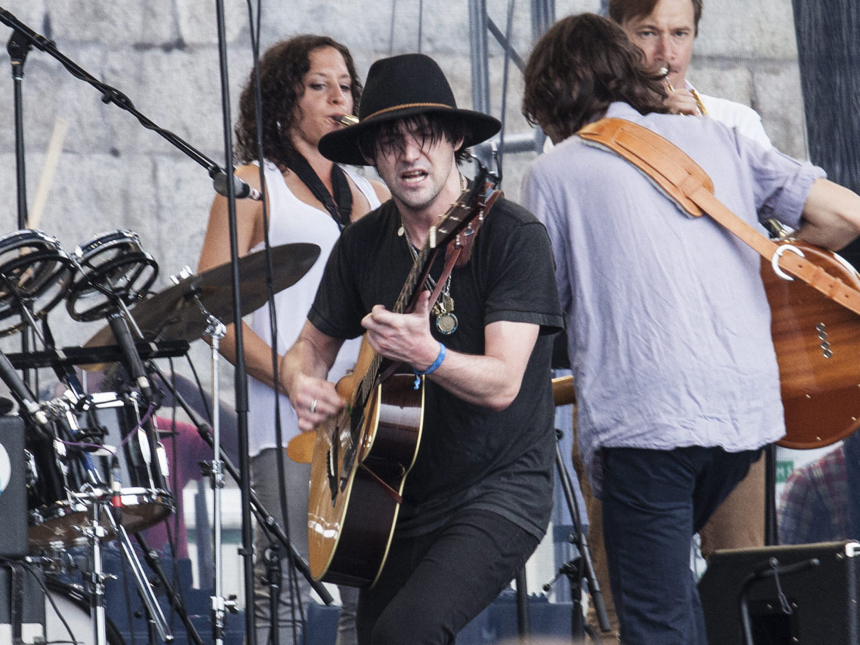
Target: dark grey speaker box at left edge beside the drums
13 492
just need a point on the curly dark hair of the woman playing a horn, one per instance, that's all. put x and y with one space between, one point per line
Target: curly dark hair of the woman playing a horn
282 69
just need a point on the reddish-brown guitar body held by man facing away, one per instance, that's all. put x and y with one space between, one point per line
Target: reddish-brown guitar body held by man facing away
817 343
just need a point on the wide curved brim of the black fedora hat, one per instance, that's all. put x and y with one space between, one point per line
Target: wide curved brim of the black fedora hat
341 146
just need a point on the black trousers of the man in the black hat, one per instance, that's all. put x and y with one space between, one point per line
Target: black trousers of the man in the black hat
433 585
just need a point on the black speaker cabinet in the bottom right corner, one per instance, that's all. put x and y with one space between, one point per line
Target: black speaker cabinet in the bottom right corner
823 598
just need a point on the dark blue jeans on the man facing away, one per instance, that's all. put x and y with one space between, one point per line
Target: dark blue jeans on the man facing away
653 503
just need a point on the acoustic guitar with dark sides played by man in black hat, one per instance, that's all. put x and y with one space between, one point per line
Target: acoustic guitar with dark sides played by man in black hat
362 456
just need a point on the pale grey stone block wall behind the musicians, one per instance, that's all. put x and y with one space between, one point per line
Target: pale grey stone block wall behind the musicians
163 54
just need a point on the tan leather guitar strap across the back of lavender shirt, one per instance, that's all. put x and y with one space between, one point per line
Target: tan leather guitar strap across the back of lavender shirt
684 181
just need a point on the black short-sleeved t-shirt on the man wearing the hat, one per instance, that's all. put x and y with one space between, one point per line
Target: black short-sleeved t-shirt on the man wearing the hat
498 461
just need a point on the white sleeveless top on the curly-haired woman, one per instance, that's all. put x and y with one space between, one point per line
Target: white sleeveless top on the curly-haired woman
290 221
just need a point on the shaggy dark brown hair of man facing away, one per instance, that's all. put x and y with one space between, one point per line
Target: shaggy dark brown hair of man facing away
580 66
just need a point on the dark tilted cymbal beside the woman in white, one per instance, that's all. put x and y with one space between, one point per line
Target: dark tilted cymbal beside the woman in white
173 314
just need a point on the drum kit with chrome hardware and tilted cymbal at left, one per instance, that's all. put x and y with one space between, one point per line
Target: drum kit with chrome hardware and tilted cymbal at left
95 468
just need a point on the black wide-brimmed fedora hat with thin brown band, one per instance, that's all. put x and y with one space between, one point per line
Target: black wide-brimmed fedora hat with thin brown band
399 87
